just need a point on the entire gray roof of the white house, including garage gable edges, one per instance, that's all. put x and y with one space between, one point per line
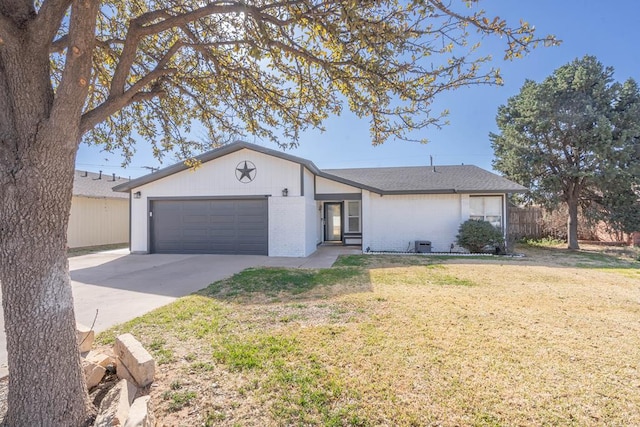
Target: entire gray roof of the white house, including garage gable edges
386 180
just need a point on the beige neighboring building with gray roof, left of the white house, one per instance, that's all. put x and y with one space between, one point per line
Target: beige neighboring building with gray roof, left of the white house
99 216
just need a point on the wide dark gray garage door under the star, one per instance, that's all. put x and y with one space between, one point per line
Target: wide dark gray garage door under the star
238 226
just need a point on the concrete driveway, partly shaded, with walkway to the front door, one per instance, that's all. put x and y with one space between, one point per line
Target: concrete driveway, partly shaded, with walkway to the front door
120 287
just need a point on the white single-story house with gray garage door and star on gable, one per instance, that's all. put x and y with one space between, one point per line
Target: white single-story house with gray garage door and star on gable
247 199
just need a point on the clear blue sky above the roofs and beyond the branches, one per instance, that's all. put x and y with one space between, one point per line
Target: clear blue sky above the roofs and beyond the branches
607 30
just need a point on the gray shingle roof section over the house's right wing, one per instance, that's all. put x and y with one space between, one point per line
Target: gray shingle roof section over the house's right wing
429 179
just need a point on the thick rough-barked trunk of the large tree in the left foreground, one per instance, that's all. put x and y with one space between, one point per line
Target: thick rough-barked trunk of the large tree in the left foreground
38 142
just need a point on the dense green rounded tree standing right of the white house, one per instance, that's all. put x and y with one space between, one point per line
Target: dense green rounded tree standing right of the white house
574 139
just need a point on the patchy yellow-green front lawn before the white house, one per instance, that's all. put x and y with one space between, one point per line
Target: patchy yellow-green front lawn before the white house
383 340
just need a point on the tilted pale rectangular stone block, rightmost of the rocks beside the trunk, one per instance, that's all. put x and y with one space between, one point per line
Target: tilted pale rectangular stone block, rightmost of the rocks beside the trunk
138 362
